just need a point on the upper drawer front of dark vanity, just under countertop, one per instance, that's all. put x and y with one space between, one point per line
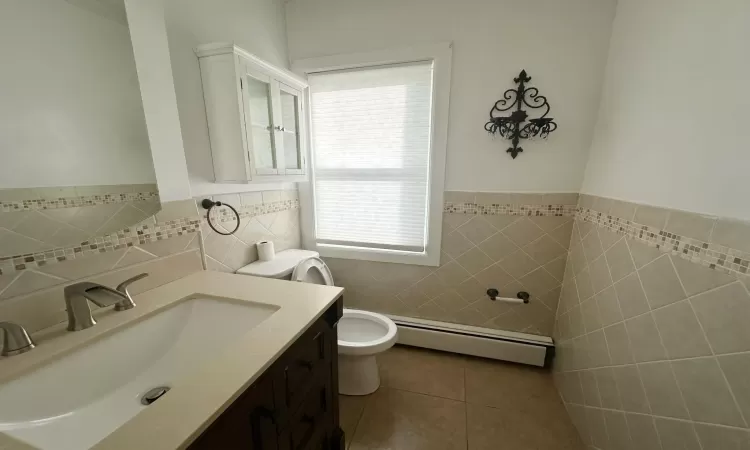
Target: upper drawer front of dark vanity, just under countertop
300 367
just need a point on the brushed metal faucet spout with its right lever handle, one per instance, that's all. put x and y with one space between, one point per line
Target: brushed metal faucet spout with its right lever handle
77 297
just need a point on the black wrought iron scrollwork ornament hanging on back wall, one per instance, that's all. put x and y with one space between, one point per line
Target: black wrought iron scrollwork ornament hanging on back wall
515 126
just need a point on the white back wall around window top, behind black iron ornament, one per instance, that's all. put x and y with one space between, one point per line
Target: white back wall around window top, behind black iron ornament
562 44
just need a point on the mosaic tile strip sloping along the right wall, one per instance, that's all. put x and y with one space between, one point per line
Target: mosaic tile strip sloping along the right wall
713 256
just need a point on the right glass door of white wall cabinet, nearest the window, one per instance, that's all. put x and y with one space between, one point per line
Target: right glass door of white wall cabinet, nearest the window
291 112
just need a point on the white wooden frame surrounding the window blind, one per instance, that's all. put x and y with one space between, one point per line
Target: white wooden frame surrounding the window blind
440 55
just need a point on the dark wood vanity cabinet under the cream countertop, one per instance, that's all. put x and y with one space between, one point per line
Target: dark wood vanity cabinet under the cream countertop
294 404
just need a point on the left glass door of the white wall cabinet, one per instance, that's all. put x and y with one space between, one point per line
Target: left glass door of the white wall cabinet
259 123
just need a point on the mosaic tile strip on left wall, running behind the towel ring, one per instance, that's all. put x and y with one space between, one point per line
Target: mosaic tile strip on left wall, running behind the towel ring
129 237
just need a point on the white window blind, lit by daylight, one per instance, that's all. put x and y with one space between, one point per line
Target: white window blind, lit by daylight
371 138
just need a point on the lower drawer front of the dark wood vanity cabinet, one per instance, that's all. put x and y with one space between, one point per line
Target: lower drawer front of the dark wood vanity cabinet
308 426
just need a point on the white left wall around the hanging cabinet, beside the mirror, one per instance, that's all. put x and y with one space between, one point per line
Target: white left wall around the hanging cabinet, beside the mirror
255 25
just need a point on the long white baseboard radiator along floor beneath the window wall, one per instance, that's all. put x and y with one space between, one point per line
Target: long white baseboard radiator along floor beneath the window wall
475 341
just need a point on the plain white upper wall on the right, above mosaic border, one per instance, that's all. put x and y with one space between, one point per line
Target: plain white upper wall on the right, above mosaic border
674 125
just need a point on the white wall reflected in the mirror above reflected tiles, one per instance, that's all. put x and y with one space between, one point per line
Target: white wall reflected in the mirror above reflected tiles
70 108
